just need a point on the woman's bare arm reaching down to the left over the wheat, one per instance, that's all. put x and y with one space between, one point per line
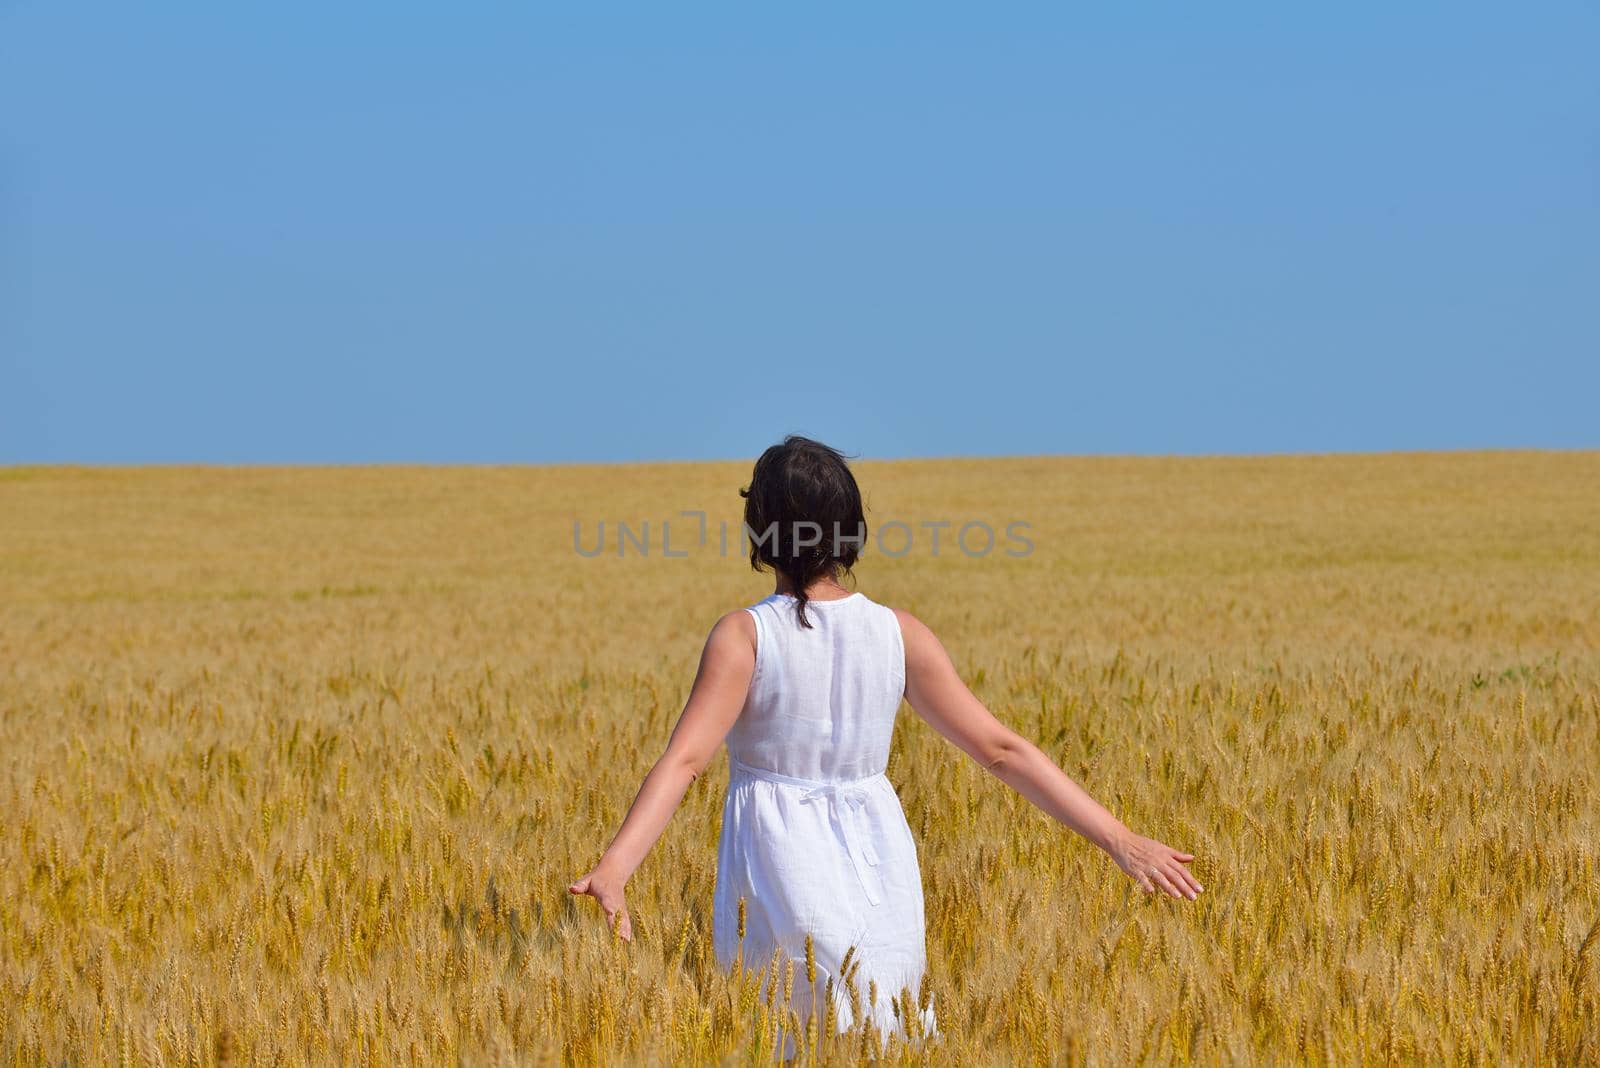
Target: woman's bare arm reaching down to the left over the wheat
714 706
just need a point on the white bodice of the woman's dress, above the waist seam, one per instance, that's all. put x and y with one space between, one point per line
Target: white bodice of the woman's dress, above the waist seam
823 699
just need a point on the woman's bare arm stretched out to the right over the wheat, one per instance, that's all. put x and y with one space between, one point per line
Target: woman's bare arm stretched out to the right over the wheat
940 696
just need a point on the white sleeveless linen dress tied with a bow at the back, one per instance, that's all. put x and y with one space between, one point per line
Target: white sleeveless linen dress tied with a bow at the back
814 835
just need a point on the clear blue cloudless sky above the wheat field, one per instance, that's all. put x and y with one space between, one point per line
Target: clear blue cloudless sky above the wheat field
594 233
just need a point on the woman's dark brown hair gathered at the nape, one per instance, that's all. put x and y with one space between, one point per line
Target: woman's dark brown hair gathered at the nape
802 514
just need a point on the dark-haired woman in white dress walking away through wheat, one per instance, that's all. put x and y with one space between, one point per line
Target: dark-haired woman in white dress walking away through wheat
804 688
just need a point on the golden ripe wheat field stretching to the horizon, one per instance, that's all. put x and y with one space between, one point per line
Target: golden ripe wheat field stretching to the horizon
297 763
